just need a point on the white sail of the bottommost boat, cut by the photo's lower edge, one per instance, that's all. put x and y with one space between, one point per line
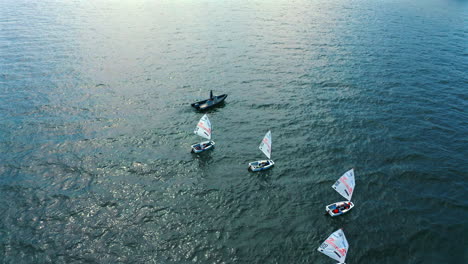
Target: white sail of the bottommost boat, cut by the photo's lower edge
336 246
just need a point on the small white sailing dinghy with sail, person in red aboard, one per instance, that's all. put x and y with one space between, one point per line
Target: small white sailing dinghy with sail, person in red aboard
344 186
